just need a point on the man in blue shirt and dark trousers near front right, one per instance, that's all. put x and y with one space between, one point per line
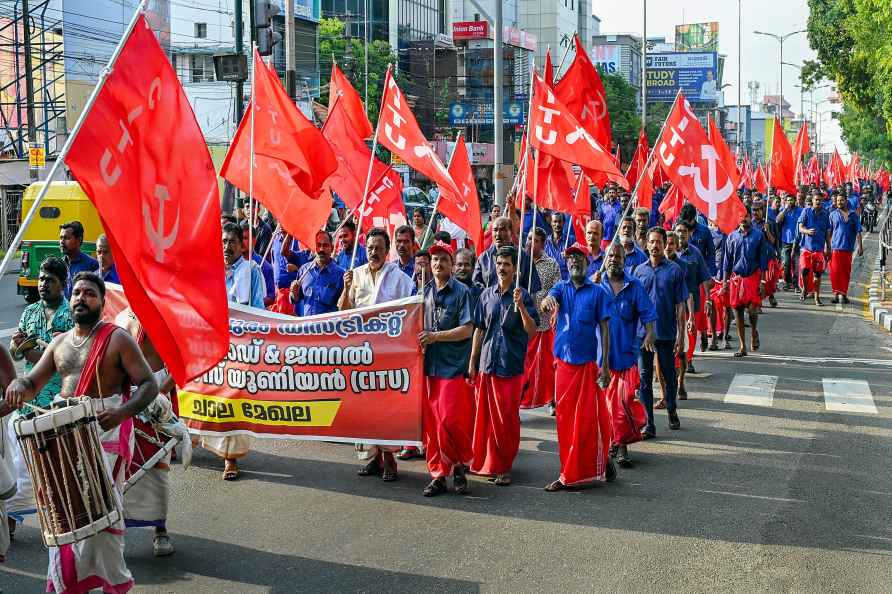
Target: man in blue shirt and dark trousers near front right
665 285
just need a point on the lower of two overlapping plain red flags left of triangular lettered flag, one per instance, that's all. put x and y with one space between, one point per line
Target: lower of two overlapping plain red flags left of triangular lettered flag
353 157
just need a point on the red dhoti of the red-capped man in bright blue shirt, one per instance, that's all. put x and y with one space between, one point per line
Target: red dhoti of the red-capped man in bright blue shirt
583 426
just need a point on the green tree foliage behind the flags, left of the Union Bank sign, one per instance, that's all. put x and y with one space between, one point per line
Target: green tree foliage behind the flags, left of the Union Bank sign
349 54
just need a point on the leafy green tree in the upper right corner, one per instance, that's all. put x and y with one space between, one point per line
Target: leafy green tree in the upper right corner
852 40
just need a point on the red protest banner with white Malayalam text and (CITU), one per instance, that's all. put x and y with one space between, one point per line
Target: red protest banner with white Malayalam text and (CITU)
350 376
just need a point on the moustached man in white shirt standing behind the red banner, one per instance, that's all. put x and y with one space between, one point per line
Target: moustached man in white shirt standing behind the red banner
376 282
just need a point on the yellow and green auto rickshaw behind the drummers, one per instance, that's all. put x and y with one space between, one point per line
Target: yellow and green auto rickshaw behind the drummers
64 202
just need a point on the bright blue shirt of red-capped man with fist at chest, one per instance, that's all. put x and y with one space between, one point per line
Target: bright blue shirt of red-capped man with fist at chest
580 311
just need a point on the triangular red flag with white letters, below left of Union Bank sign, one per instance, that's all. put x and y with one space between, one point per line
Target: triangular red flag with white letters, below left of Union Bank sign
401 135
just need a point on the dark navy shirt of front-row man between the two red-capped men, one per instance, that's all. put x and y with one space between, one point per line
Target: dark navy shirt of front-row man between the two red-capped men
505 341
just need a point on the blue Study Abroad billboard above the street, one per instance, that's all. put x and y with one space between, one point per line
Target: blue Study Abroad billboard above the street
694 73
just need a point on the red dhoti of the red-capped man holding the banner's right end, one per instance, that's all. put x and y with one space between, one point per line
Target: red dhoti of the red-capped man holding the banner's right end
448 424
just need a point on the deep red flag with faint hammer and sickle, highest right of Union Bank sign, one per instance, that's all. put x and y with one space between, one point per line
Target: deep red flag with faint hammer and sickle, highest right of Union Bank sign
582 91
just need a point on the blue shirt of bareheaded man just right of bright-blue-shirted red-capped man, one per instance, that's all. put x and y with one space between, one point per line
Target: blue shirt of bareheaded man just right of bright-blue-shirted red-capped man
631 308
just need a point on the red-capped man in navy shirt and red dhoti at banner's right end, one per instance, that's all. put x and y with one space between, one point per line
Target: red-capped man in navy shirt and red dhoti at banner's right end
448 409
